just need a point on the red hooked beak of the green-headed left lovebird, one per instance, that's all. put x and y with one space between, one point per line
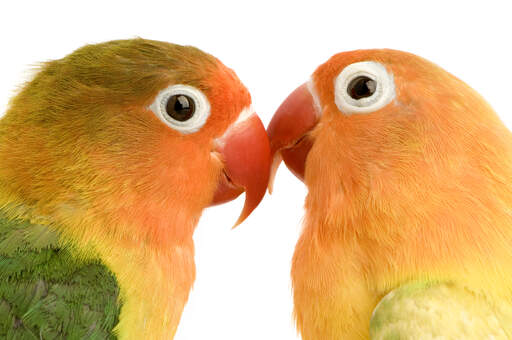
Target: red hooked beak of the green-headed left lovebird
245 151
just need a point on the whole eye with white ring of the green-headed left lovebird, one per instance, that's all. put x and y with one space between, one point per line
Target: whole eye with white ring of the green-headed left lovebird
182 107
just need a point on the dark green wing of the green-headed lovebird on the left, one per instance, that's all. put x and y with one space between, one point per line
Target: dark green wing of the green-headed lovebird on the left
46 293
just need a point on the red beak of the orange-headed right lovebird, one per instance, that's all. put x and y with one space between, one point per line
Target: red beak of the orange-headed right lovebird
288 132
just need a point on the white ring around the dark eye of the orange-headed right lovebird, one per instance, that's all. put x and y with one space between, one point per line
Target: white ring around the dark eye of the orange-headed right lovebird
383 94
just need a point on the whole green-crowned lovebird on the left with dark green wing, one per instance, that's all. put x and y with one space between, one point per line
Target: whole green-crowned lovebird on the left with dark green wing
108 156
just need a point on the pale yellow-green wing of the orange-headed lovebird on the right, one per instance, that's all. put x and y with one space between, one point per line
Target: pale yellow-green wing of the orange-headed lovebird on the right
438 311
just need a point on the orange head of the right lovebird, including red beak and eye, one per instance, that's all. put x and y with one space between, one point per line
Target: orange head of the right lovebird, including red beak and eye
381 122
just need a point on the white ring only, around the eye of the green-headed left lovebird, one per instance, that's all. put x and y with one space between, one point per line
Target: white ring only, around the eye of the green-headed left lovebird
198 118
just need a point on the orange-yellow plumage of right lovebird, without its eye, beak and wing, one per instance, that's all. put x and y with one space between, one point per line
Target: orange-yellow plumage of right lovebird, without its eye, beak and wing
417 191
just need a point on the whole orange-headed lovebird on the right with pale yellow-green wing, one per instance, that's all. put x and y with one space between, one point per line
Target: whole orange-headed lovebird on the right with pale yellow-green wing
408 217
